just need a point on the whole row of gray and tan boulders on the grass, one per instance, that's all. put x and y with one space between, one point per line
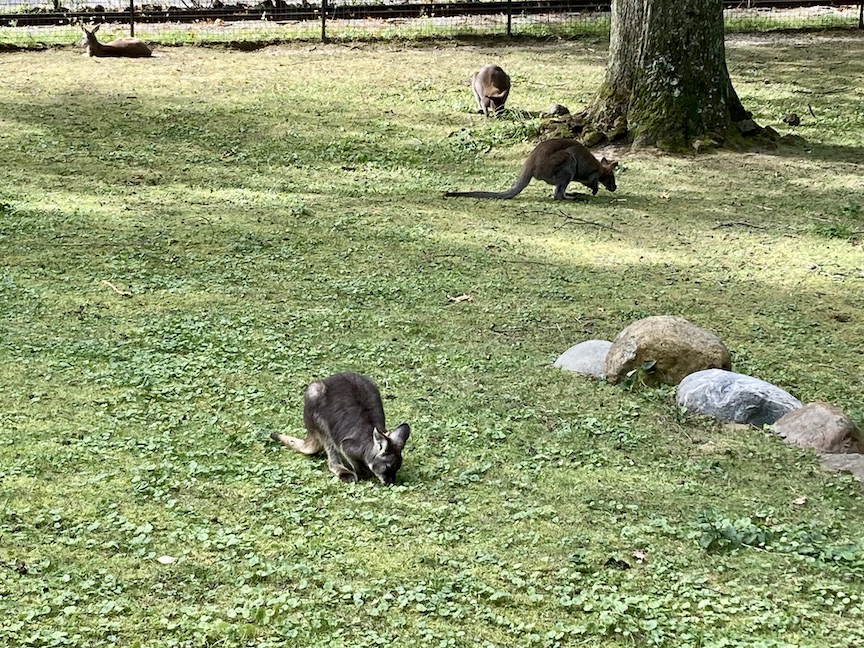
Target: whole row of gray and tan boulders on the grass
672 350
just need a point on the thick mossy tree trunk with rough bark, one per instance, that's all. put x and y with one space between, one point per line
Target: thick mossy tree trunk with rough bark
666 82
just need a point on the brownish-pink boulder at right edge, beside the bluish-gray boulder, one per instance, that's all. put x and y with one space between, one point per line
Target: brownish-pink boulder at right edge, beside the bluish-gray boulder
821 426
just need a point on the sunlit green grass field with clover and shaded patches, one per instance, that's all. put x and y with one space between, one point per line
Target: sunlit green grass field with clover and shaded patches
187 241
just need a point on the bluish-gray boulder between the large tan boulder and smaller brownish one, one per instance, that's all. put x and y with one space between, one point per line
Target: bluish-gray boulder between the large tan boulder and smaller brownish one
734 397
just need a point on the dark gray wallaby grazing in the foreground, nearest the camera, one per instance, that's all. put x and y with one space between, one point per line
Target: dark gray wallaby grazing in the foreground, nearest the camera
344 417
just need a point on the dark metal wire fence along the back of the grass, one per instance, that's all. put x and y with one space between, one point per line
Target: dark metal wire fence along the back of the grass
26 22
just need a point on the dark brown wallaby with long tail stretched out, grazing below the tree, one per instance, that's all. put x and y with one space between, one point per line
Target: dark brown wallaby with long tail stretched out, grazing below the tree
557 162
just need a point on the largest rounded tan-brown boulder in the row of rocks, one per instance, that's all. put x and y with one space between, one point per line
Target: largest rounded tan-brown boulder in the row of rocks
676 346
